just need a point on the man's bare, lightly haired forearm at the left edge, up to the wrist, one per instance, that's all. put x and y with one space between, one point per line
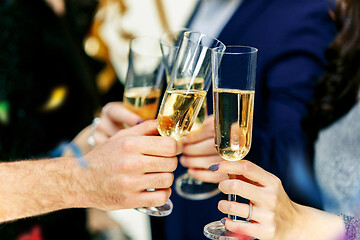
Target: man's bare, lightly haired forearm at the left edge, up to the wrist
29 188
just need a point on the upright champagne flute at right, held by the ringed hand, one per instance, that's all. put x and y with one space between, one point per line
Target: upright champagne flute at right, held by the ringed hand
233 94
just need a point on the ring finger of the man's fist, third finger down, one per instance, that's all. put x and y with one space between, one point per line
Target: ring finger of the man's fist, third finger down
156 180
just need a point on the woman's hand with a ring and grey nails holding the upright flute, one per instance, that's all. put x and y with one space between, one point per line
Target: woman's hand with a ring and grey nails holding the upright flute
274 215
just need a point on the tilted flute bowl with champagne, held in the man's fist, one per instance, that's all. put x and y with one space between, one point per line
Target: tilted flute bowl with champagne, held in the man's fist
189 82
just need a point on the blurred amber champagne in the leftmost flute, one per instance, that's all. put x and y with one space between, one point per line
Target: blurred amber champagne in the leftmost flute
143 101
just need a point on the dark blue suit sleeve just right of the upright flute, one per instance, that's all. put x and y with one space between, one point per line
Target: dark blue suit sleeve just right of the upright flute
286 76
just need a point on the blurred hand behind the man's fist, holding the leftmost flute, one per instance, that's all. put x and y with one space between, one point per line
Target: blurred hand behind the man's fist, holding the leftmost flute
112 119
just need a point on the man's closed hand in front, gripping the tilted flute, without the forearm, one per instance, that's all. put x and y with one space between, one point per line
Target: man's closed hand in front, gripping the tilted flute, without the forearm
128 163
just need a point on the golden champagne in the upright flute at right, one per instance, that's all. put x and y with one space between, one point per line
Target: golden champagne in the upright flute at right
233 122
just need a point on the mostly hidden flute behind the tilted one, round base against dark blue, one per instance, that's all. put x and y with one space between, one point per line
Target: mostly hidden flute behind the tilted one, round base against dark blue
186 185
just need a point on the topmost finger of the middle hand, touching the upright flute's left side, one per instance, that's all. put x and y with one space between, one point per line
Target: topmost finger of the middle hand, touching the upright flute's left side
205 131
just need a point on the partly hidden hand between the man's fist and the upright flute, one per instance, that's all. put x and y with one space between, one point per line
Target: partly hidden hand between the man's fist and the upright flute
199 153
